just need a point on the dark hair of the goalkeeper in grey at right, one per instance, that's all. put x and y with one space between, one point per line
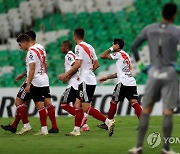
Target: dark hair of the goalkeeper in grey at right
169 10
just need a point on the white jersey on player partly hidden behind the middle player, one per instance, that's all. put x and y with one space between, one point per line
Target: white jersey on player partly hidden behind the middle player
69 60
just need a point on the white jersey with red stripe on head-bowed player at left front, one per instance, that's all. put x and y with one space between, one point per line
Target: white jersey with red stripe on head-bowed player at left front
37 54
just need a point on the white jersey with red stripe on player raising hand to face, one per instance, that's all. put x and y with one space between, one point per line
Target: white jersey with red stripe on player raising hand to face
123 68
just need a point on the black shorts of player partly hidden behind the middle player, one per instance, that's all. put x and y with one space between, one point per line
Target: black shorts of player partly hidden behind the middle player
69 95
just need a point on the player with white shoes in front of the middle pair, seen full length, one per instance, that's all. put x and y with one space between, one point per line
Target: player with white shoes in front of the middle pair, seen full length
86 62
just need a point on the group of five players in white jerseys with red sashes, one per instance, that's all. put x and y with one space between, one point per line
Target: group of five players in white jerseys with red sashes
79 74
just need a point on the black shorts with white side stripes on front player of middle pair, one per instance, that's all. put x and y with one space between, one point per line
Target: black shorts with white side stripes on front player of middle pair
86 92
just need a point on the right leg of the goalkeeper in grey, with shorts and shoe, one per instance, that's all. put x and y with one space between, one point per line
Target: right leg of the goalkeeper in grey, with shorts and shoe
170 90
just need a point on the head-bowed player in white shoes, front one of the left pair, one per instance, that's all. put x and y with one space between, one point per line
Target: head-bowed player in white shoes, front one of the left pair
37 80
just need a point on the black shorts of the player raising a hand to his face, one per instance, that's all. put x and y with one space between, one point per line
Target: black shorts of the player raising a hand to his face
121 92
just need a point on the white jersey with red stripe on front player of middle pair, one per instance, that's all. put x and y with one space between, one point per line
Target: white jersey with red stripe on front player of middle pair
86 73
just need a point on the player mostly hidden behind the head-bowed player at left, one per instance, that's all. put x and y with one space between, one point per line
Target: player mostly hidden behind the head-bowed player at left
23 100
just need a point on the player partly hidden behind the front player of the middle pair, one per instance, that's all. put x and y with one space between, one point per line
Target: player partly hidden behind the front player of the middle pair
72 89
